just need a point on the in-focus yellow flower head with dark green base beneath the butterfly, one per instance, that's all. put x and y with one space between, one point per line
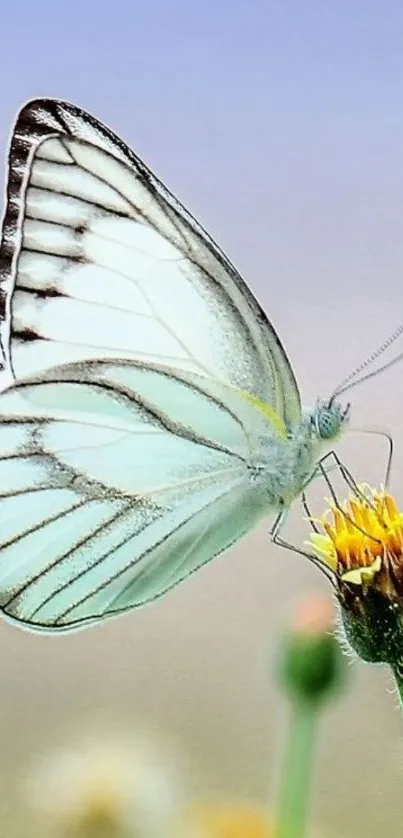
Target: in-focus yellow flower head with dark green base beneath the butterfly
361 543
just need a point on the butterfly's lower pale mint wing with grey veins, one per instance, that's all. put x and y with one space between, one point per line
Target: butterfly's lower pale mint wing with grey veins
118 480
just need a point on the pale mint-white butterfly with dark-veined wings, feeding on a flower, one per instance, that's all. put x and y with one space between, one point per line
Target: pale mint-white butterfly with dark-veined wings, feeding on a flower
149 416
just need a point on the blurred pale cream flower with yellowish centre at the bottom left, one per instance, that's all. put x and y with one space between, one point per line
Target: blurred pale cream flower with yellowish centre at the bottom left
106 788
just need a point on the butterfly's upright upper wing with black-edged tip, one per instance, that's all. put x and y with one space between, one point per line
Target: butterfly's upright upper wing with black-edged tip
98 259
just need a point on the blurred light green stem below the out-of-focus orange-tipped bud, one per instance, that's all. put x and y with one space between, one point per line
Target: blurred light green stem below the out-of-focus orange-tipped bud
297 771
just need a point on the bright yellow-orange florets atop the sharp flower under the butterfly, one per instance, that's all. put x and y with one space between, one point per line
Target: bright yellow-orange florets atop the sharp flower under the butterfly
362 542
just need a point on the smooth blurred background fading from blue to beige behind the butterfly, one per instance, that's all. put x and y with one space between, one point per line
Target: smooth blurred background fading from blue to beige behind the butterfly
280 125
